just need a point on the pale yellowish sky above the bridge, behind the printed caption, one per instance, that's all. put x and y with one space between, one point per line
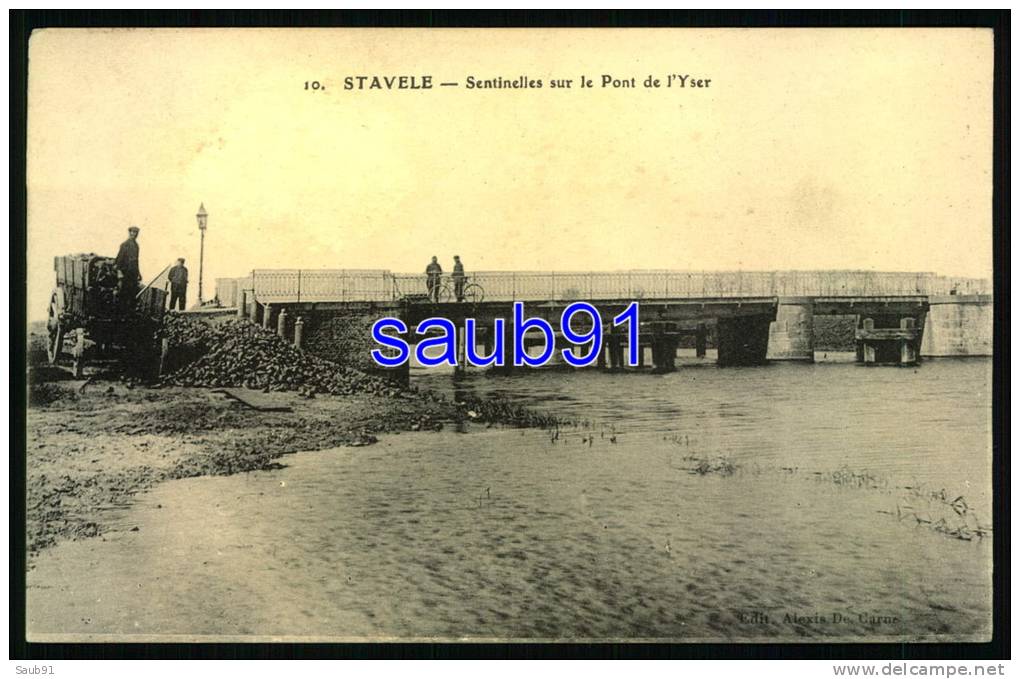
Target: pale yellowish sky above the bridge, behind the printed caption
811 149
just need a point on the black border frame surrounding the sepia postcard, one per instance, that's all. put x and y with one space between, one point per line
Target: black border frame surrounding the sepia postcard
23 23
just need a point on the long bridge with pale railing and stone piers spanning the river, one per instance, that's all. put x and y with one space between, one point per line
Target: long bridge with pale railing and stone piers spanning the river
752 317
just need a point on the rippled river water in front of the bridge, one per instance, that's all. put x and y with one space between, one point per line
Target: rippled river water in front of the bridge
779 503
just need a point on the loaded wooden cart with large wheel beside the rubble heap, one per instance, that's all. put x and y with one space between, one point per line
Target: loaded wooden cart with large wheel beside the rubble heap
92 307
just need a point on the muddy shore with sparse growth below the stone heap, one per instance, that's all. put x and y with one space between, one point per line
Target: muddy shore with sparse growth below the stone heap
90 447
